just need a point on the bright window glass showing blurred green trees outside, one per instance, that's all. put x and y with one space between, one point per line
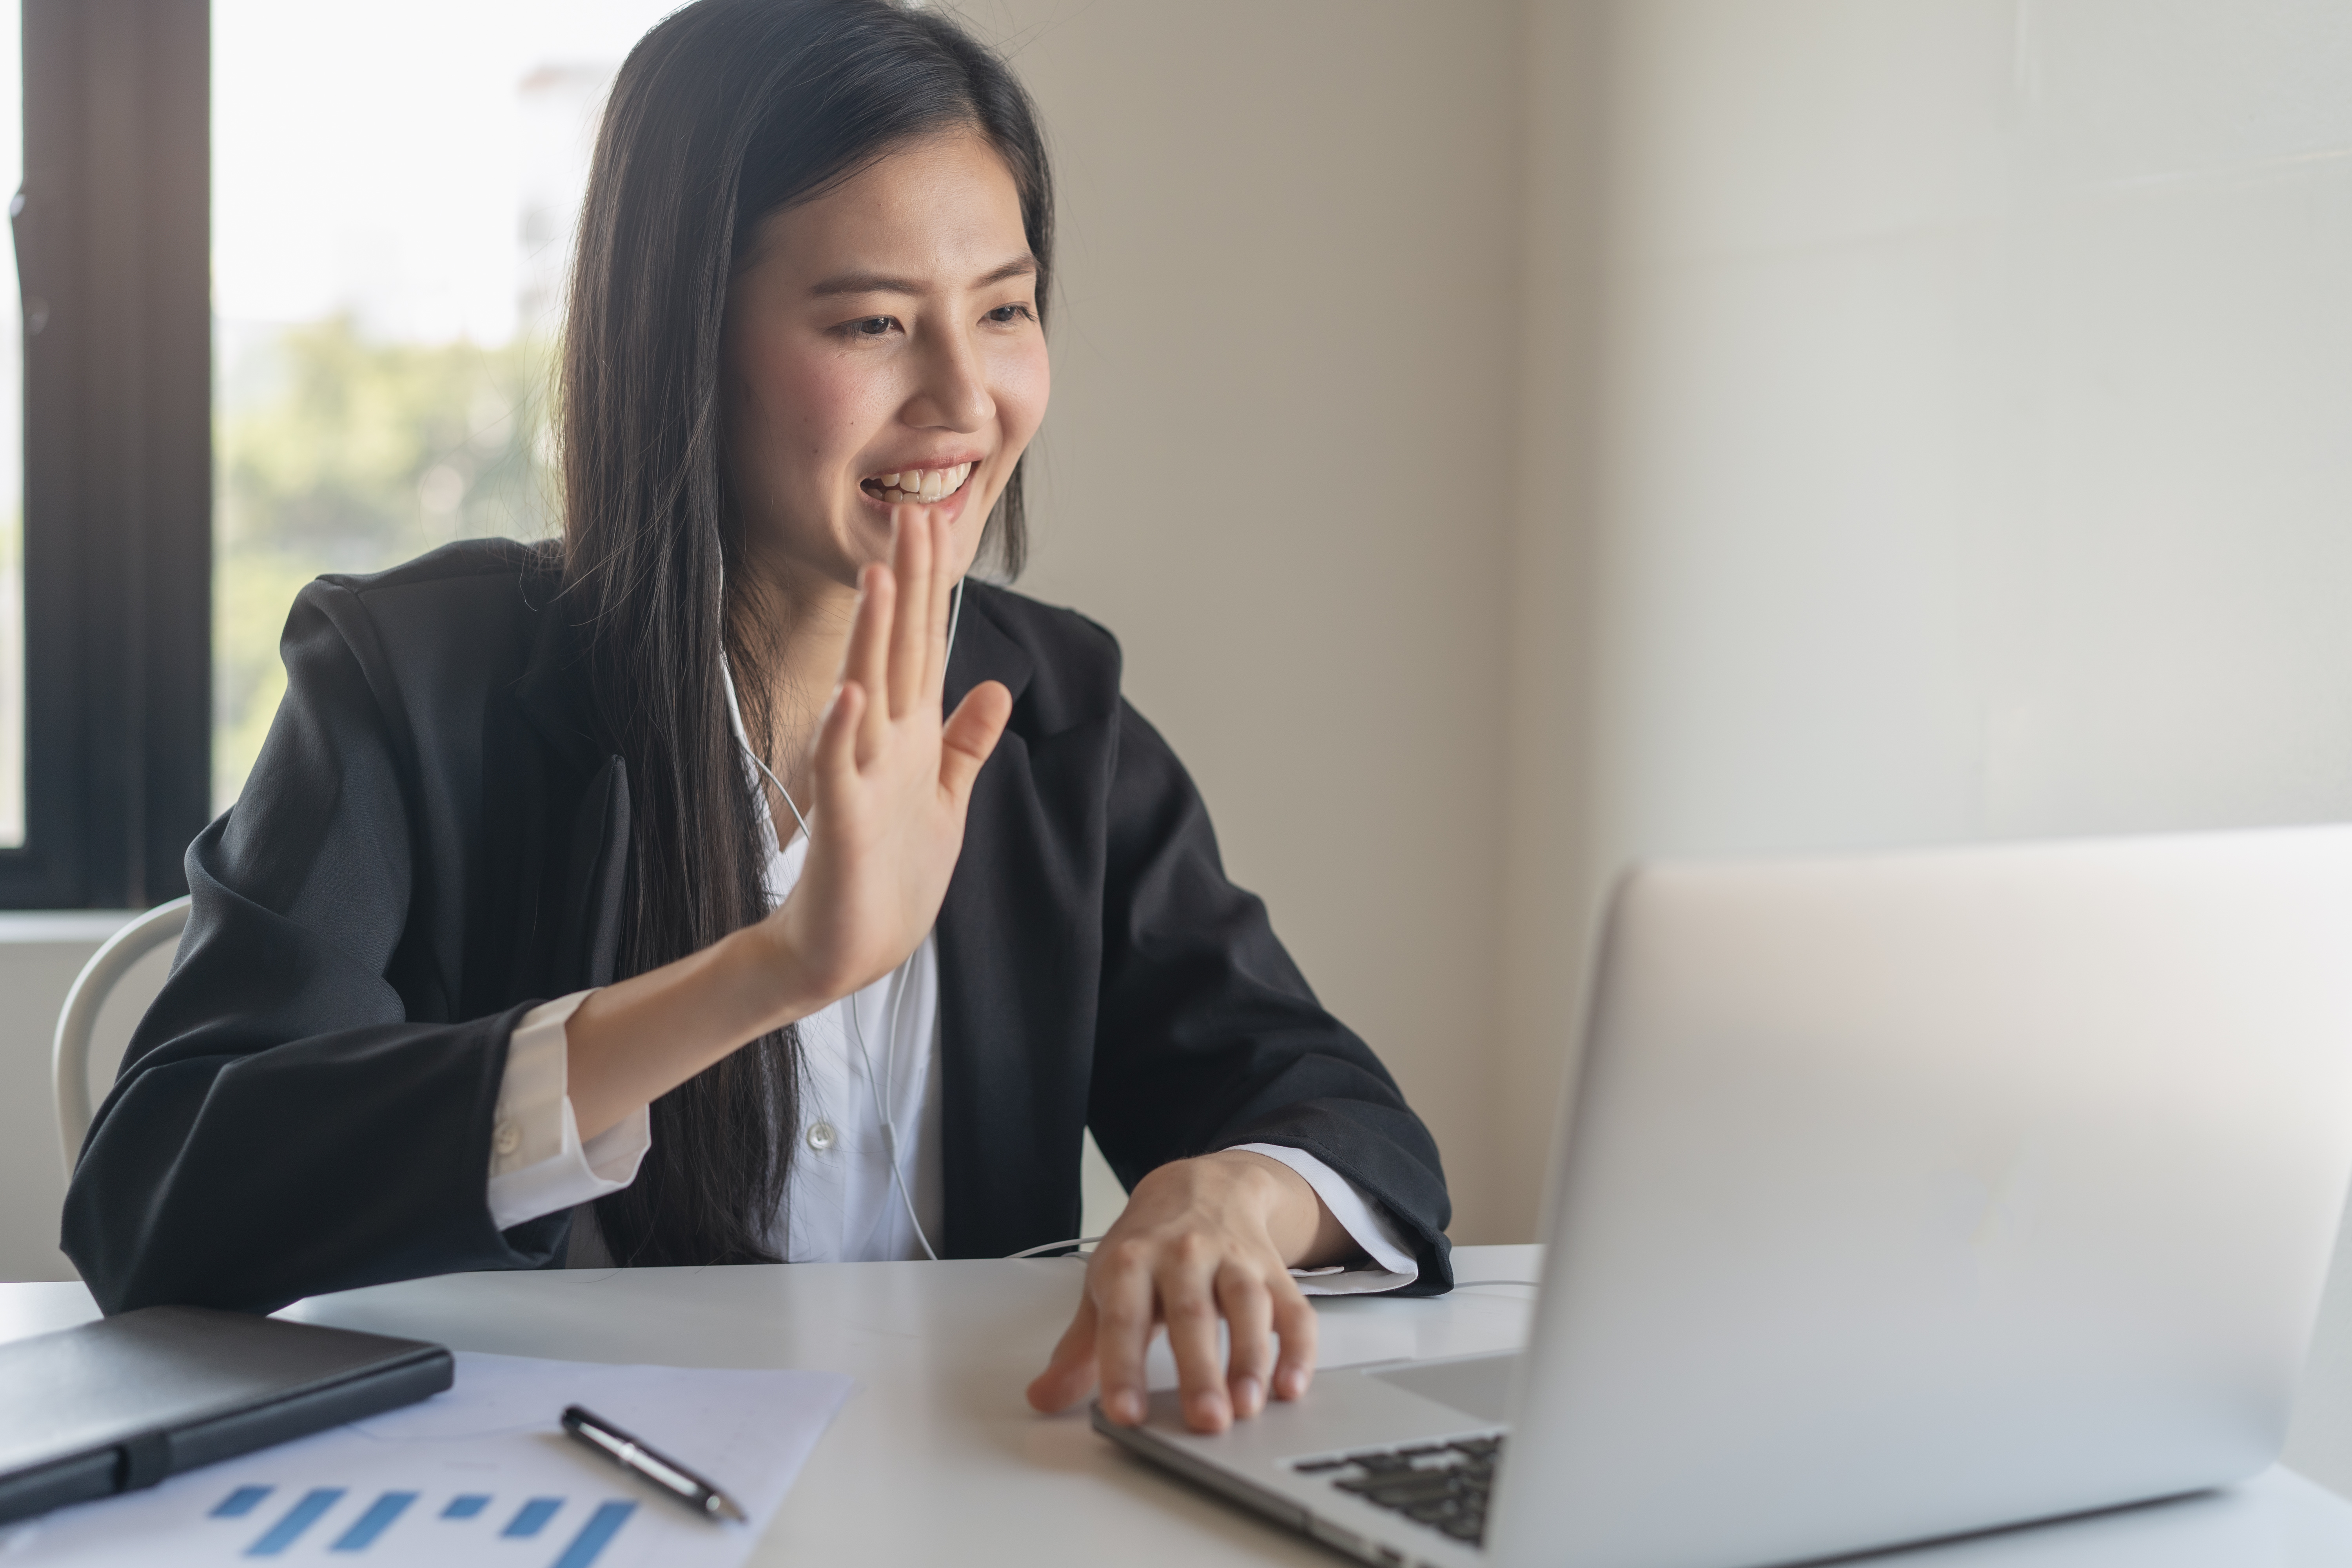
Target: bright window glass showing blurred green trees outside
394 201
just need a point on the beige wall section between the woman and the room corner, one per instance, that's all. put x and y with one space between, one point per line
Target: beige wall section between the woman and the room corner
1281 467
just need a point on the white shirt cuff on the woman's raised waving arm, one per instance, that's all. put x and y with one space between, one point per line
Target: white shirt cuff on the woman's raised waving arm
537 1160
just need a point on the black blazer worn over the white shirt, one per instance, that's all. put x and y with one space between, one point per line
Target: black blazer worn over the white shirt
434 843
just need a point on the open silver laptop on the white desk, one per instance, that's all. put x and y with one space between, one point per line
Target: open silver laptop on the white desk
1899 1198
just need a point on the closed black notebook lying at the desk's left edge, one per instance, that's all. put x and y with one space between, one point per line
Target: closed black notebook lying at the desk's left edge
147 1395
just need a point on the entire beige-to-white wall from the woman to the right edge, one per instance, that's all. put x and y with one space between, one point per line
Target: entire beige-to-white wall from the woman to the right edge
1511 438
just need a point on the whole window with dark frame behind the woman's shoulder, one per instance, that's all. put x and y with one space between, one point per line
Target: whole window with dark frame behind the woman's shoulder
290 286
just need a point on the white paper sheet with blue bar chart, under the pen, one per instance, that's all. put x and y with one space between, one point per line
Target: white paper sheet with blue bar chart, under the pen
479 1475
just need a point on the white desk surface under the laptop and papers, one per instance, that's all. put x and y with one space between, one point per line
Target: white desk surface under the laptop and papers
937 1459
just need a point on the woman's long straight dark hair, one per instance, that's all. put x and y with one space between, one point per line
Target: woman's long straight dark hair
723 116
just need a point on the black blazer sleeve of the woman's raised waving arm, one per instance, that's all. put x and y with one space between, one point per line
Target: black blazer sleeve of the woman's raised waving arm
281 1125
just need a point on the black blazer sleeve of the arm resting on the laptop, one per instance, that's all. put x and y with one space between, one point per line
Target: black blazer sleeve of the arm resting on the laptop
1208 1033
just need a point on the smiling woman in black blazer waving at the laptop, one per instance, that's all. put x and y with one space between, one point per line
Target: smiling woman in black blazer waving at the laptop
737 883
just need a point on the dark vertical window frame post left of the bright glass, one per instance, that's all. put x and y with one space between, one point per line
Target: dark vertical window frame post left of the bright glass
114 255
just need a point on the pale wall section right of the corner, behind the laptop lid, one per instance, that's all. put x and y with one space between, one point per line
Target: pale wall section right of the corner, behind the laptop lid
1970 455
